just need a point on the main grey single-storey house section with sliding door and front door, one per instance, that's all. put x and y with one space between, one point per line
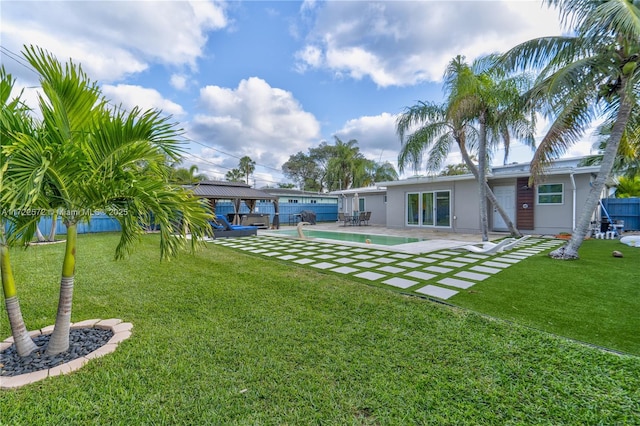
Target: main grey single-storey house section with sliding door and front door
450 203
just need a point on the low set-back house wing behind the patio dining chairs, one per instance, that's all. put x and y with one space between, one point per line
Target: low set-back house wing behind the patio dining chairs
367 199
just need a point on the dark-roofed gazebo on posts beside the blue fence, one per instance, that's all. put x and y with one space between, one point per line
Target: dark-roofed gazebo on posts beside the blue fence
236 192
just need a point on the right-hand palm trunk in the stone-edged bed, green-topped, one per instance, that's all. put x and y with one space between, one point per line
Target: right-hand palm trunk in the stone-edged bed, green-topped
59 341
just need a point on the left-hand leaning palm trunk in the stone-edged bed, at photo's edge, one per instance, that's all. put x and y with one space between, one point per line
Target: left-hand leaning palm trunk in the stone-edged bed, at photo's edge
22 340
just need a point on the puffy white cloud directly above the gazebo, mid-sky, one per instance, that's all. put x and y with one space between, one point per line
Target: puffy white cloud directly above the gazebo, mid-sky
266 123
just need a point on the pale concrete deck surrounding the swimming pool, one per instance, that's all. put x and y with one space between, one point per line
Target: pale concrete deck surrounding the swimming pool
435 239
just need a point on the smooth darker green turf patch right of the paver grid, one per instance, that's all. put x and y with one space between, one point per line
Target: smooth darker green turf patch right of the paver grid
595 299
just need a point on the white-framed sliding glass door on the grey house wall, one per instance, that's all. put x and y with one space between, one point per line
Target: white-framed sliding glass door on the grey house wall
432 208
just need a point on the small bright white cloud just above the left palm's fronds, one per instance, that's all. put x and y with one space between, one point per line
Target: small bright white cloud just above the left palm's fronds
131 96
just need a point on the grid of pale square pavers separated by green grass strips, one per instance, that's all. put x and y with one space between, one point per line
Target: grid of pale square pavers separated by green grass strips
440 274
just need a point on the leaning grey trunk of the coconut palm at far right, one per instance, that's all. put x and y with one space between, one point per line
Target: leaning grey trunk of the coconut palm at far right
570 251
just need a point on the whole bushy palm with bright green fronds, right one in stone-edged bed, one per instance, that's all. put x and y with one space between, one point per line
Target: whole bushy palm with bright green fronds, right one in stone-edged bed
88 158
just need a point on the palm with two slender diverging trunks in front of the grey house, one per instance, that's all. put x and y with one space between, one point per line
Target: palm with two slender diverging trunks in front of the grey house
476 94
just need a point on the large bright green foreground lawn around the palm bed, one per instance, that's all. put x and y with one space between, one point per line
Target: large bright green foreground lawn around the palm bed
222 337
